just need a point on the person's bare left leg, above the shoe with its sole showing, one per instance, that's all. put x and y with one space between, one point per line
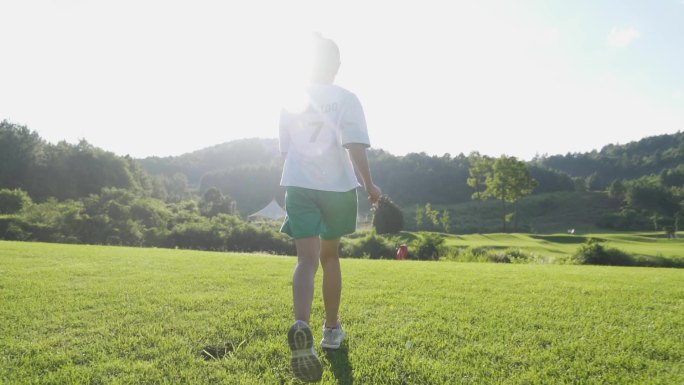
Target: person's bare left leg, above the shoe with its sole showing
308 250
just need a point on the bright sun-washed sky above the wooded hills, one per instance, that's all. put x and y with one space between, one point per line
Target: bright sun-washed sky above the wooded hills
522 78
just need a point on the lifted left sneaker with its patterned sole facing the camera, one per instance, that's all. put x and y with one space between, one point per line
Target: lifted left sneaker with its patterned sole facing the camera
305 364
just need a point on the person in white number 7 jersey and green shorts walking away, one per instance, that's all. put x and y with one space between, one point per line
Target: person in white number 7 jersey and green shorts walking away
323 144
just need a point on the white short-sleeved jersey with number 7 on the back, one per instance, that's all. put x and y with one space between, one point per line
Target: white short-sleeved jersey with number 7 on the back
314 140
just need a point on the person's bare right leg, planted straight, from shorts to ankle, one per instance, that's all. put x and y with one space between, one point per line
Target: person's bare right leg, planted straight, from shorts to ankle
332 280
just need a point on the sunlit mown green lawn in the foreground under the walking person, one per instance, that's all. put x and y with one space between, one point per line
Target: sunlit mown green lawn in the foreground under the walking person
111 315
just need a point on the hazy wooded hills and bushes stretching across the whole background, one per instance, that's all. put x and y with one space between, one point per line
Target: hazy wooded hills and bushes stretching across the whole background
81 193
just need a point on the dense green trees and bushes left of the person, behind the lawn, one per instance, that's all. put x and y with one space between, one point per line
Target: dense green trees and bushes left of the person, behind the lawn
82 194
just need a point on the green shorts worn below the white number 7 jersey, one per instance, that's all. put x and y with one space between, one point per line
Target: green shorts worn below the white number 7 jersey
327 214
